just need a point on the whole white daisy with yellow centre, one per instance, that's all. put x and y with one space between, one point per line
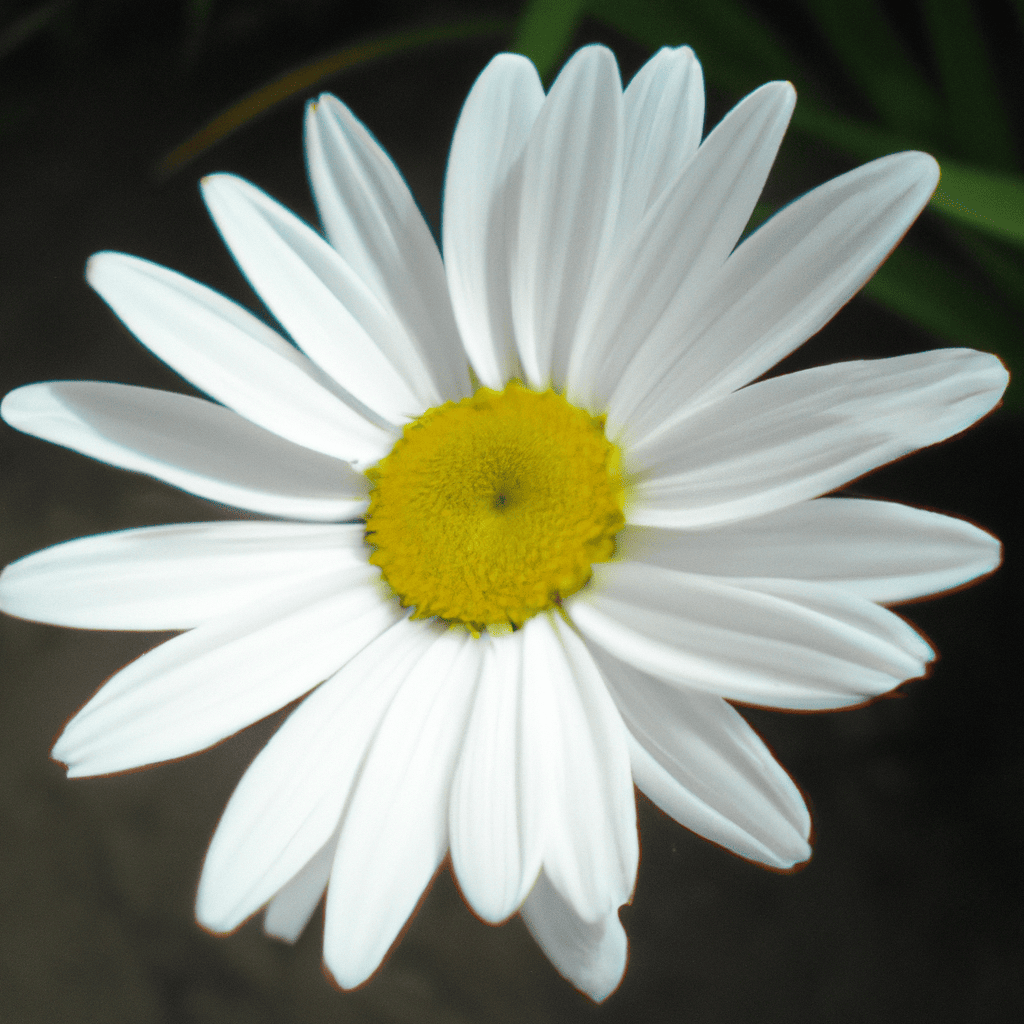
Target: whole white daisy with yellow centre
589 565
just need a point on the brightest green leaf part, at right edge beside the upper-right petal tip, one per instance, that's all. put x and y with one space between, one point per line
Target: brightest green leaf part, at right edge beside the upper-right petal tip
991 201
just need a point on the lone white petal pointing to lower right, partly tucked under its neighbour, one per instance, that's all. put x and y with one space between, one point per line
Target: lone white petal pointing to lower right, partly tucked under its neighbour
699 760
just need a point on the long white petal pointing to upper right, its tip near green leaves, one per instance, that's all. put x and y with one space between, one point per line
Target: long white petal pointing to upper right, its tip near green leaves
777 290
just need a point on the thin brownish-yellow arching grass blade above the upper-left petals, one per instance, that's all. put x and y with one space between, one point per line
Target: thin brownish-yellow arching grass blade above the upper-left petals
295 82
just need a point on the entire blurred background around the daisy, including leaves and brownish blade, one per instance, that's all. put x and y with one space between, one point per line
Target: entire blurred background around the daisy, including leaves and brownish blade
911 909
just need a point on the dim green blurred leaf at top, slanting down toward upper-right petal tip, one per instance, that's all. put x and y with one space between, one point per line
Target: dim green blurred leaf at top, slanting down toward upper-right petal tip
875 60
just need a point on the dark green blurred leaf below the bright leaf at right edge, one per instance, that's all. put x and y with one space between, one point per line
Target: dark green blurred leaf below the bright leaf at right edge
933 295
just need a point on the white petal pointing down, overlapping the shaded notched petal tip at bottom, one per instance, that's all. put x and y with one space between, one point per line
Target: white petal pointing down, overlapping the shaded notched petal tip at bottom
577 779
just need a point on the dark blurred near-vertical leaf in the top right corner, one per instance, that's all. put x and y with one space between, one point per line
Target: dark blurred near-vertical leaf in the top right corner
977 119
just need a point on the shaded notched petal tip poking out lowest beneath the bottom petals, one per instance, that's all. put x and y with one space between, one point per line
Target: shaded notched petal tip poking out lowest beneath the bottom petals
590 955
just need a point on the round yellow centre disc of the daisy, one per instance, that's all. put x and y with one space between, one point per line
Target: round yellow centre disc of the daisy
492 509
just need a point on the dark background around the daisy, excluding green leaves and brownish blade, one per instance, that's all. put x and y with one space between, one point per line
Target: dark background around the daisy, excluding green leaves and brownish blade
911 909
